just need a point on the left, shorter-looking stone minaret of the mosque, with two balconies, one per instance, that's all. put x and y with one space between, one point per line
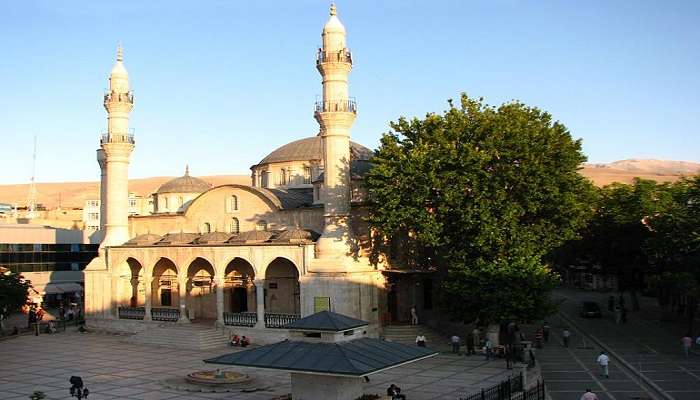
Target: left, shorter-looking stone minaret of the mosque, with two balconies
113 157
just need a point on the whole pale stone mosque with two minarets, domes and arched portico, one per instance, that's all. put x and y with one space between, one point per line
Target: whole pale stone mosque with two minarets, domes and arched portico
250 257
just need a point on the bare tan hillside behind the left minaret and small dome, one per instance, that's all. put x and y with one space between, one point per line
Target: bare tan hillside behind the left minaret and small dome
74 194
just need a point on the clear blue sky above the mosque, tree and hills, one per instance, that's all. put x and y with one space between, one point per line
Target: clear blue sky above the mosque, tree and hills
219 84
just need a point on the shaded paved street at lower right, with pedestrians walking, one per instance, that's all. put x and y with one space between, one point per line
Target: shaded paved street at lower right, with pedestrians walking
650 347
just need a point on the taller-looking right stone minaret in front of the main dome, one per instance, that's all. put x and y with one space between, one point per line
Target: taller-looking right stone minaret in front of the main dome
335 114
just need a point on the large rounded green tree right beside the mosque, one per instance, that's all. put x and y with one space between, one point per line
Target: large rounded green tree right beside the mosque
480 194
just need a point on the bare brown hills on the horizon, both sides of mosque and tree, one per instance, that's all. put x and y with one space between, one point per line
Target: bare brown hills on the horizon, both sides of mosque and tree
74 194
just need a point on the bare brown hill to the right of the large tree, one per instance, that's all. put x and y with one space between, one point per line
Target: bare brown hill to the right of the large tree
625 171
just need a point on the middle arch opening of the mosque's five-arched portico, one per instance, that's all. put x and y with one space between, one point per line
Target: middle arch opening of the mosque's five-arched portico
201 297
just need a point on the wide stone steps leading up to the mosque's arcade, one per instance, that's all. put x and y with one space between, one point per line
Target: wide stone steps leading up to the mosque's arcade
182 336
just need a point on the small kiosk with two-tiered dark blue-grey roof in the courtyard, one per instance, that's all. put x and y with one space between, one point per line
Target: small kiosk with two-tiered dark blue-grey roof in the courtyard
327 354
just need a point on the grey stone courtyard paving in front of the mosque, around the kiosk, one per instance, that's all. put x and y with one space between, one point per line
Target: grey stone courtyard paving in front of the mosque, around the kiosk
112 369
